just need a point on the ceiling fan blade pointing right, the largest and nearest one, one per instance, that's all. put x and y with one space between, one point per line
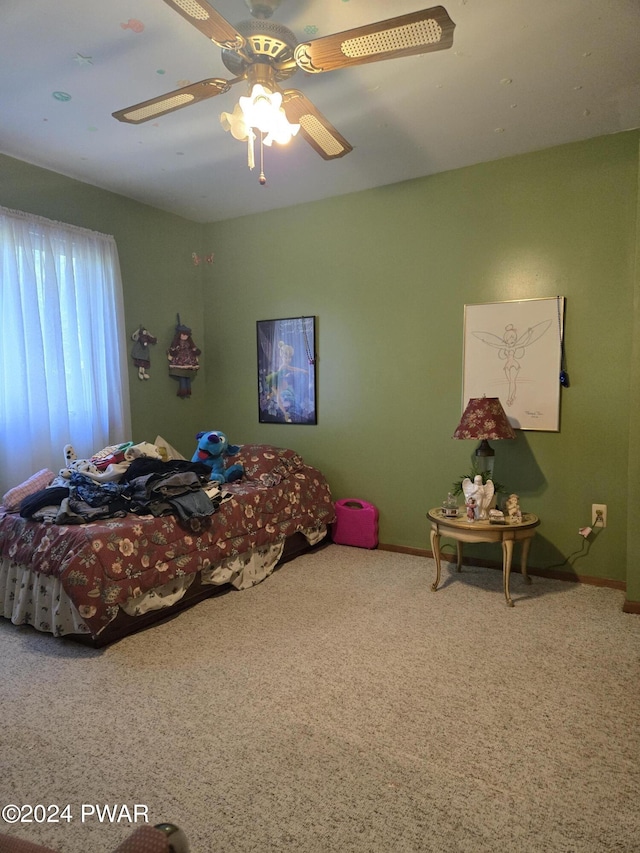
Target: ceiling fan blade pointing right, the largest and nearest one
417 32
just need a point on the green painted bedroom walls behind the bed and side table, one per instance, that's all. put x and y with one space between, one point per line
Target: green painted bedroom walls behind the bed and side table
387 273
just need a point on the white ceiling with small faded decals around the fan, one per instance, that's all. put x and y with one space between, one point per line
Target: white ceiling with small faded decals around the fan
522 75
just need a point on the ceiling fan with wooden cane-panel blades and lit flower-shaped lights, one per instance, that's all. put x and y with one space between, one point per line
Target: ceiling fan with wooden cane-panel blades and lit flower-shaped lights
264 53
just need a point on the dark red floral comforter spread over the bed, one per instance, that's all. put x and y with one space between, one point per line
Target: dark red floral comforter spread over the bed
103 564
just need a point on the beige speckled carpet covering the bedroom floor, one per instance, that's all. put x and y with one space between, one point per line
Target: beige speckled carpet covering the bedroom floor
341 706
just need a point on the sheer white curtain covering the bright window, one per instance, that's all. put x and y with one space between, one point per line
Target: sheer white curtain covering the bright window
63 365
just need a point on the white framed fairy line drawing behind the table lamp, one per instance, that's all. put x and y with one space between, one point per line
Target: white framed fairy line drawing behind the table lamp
513 350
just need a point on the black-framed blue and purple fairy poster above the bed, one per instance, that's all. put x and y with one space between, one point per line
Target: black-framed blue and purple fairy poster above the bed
287 371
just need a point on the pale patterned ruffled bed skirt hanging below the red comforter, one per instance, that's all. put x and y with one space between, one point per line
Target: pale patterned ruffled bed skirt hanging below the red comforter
29 598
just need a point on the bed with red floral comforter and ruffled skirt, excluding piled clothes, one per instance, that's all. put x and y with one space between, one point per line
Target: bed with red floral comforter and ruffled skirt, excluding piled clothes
98 581
